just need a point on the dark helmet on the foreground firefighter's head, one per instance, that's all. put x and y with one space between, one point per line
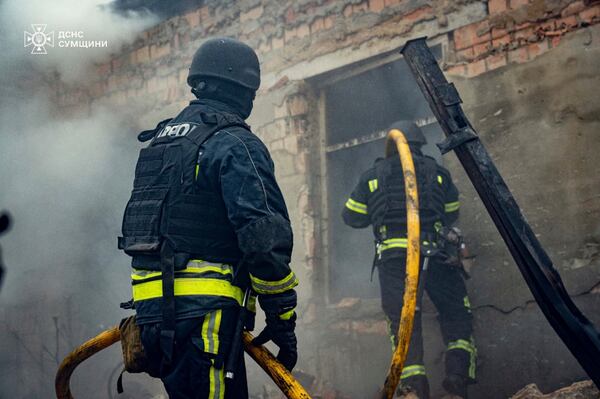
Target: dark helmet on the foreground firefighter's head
228 59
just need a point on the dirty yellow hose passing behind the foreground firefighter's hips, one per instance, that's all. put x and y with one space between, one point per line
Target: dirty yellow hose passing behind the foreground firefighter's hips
265 359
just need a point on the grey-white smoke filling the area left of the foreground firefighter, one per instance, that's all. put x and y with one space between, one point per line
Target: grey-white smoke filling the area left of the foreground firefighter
65 180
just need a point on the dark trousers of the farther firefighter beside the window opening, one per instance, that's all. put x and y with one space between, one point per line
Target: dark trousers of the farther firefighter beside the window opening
446 288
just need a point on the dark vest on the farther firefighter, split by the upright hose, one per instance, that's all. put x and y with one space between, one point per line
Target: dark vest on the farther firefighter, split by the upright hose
387 204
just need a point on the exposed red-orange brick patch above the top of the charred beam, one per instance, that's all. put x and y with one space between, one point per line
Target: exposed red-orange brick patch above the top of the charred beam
516 31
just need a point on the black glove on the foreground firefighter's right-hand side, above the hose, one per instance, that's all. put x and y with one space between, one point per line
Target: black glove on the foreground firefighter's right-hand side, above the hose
281 322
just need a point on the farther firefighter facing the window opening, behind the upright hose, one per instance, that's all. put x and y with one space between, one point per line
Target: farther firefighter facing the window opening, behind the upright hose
379 200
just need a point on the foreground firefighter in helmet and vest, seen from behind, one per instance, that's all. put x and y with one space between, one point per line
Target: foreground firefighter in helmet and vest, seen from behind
206 220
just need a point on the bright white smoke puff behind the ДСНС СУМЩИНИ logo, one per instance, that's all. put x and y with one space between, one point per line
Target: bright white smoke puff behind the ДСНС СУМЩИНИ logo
93 18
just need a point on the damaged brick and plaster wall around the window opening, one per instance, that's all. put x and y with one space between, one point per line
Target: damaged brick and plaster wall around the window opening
526 70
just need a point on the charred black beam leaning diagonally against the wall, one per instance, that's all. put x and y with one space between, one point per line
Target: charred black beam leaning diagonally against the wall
575 330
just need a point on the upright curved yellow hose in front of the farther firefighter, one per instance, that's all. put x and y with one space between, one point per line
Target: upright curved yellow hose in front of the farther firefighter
412 260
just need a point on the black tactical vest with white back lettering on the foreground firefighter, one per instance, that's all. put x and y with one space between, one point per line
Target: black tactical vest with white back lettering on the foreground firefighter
166 203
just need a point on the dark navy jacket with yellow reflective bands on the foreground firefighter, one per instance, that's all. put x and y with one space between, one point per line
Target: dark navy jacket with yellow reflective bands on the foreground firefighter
235 166
